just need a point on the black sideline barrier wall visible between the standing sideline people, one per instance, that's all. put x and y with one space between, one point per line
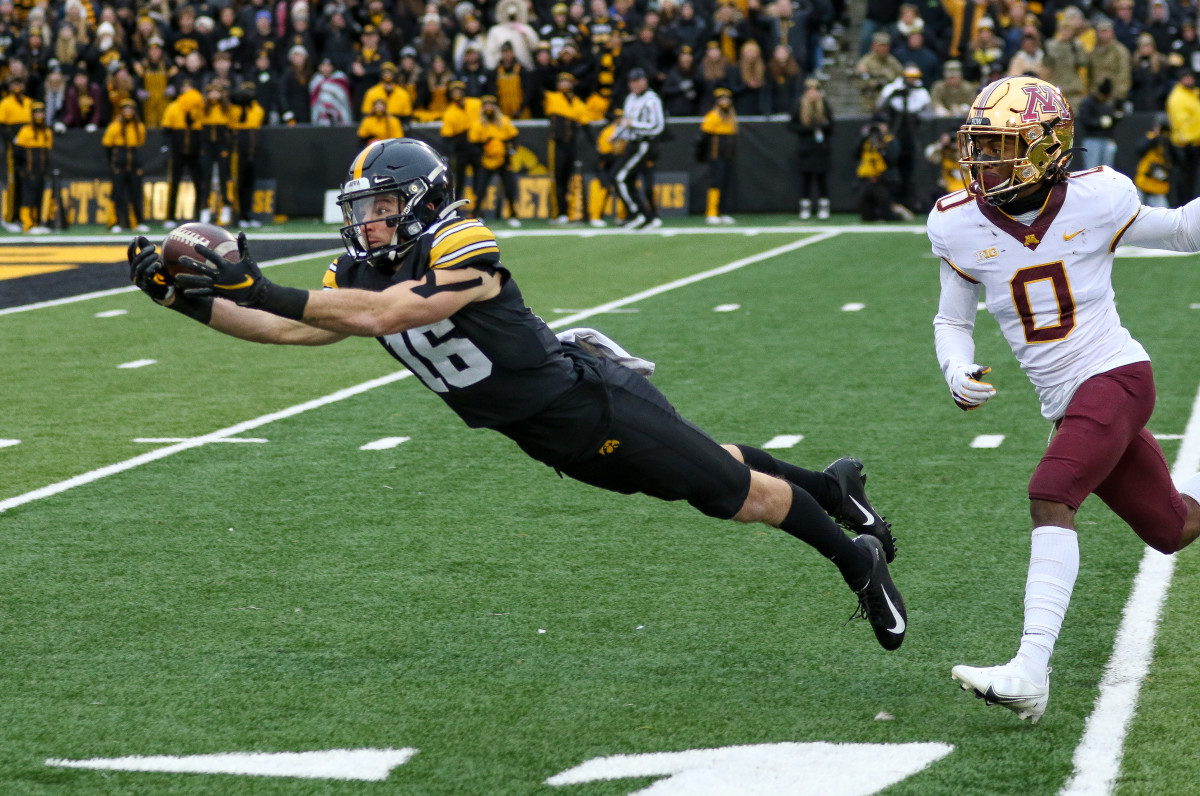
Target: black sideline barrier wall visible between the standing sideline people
299 165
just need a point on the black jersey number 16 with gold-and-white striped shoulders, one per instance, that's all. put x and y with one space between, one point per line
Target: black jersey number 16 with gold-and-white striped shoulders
494 362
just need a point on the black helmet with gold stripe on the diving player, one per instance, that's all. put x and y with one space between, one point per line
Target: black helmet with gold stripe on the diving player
412 172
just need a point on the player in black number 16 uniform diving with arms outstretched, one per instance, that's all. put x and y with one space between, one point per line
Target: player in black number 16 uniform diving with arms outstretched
430 286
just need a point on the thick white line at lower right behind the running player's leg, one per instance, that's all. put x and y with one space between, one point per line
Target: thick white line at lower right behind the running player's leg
1097 761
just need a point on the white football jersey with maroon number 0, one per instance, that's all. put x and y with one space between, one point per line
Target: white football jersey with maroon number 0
1048 284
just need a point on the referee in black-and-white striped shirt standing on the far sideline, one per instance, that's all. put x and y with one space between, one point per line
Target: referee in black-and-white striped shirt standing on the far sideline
643 124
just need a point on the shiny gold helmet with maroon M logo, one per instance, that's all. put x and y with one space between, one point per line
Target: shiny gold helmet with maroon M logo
1036 128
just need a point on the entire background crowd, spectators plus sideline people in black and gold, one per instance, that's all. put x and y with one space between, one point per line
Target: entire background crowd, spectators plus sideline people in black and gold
908 70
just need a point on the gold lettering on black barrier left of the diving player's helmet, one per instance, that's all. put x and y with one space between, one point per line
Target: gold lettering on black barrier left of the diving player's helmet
92 201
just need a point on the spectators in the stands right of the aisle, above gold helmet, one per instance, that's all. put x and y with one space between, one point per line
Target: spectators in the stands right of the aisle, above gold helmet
1136 49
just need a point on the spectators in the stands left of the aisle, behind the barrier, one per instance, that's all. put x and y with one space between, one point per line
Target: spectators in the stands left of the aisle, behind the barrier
316 62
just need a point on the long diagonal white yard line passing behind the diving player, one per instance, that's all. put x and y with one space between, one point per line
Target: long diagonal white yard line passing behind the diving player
350 392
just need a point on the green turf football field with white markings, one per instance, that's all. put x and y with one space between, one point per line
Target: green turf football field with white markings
215 556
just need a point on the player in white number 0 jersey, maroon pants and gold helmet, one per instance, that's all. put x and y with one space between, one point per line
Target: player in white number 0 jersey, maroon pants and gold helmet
1040 243
